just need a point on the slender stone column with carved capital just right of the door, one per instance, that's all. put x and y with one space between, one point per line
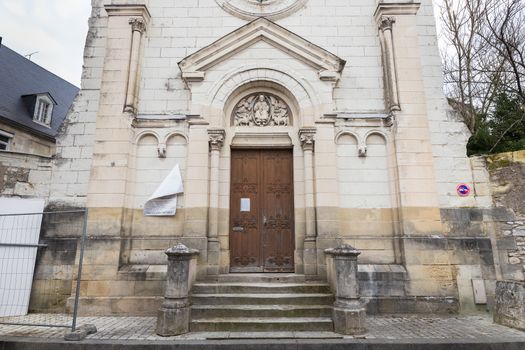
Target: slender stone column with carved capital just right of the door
306 135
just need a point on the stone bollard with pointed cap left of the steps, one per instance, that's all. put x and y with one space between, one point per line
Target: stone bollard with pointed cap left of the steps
174 314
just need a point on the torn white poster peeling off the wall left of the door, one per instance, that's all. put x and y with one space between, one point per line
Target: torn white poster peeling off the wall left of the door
164 201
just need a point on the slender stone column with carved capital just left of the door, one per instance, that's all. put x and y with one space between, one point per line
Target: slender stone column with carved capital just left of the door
216 141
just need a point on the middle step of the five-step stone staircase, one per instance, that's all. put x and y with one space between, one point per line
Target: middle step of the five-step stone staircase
263 299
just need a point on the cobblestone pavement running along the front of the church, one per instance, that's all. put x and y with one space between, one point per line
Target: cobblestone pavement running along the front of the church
396 327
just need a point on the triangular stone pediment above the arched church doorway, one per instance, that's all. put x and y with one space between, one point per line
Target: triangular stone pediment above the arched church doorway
327 64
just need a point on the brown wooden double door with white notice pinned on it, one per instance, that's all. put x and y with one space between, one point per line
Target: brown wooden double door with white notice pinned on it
261 211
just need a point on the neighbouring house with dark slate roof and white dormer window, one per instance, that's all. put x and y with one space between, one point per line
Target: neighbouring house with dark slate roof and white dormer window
33 105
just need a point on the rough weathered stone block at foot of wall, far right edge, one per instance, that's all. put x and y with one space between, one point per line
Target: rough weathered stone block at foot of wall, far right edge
510 304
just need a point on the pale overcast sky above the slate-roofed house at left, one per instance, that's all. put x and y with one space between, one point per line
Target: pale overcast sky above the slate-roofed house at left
55 28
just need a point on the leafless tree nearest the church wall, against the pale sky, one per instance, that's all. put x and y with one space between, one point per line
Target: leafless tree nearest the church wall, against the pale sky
472 71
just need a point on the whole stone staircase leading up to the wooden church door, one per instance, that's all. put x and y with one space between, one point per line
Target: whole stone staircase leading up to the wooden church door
261 303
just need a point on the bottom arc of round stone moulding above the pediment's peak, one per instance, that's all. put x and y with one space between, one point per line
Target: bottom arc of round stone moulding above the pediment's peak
251 9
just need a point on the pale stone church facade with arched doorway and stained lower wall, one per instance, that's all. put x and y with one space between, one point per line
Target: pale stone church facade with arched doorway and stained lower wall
298 126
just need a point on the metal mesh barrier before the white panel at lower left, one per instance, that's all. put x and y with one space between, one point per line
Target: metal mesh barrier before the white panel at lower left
38 256
